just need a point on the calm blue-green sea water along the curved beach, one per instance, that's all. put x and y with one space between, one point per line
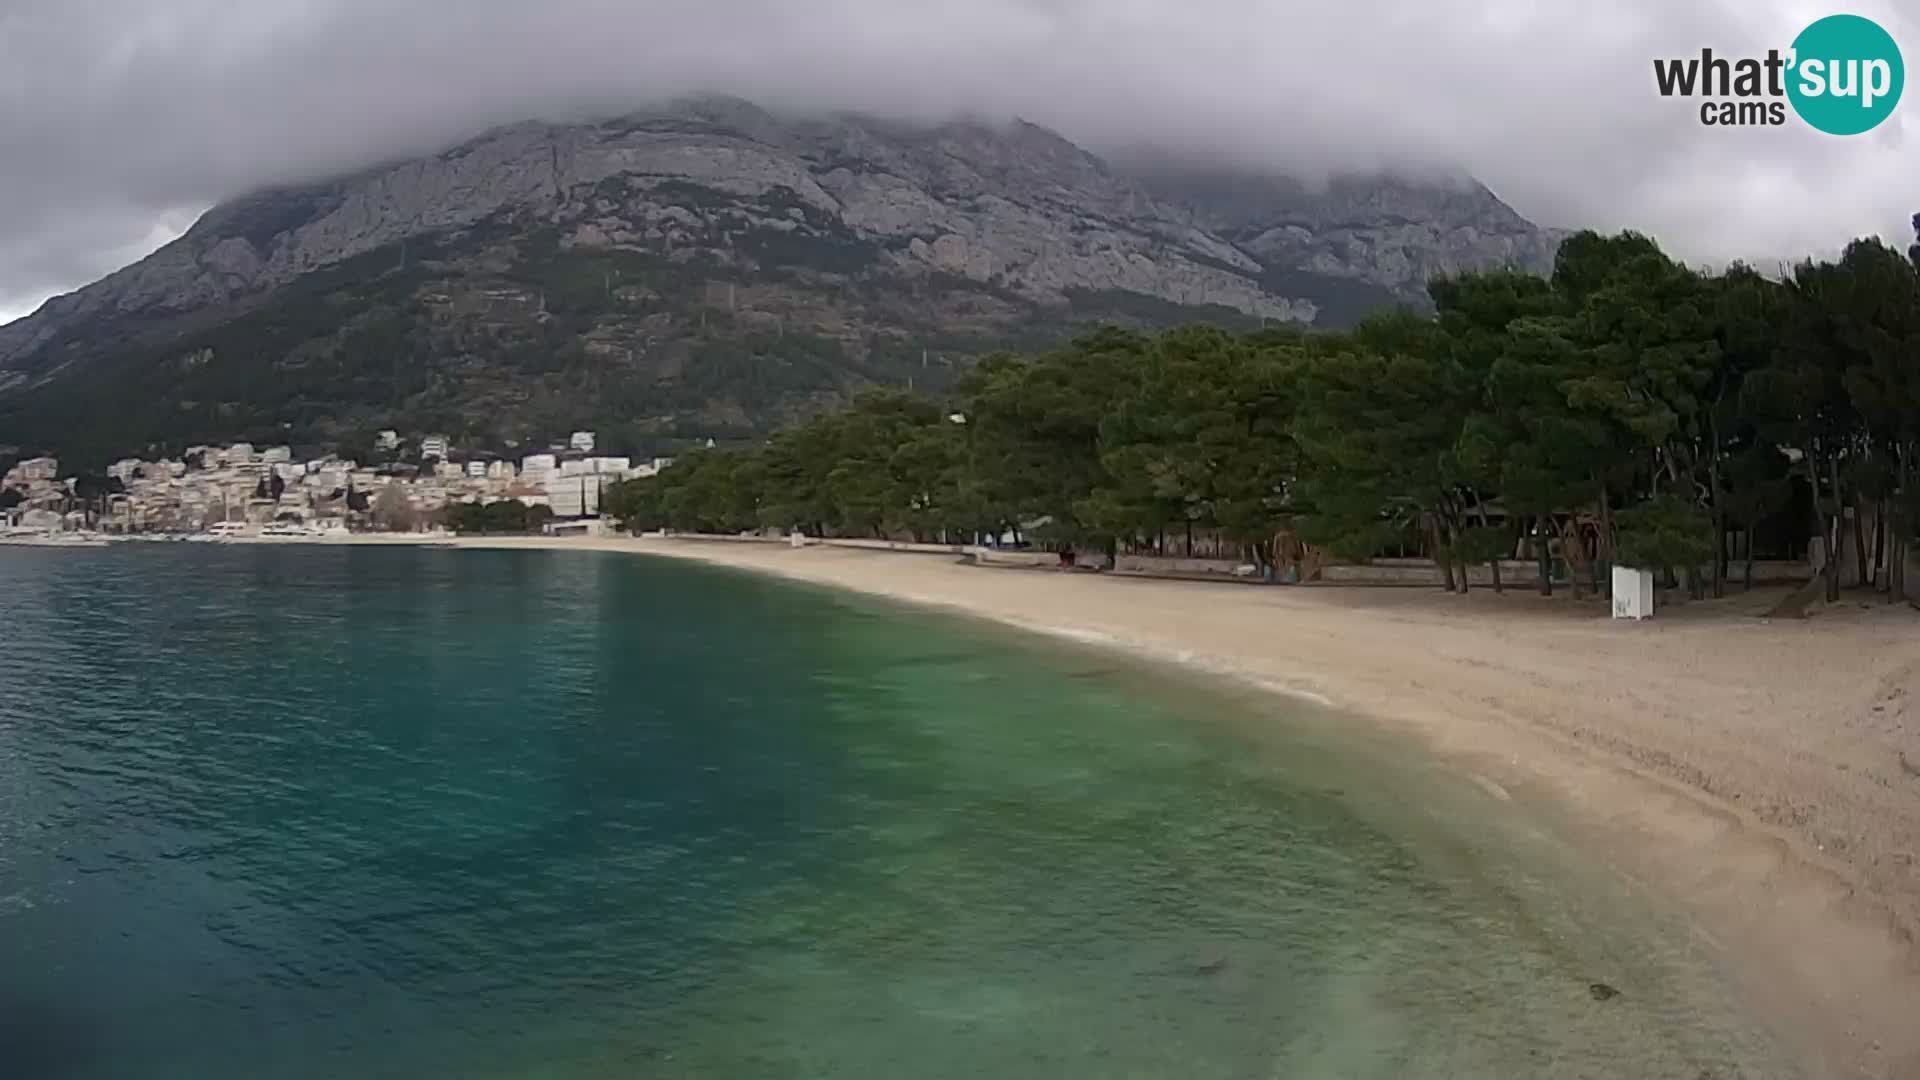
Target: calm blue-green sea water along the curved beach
345 812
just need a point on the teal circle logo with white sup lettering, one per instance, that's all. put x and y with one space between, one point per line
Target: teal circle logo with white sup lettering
1846 76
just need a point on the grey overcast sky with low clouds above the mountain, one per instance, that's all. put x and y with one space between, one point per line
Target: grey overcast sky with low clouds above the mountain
122 120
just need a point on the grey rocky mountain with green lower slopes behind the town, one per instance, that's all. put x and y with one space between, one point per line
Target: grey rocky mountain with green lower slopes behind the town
698 270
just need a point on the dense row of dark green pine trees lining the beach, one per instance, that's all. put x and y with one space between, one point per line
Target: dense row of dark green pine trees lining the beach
1625 410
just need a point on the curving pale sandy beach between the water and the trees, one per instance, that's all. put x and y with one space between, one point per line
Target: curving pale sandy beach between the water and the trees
1760 773
